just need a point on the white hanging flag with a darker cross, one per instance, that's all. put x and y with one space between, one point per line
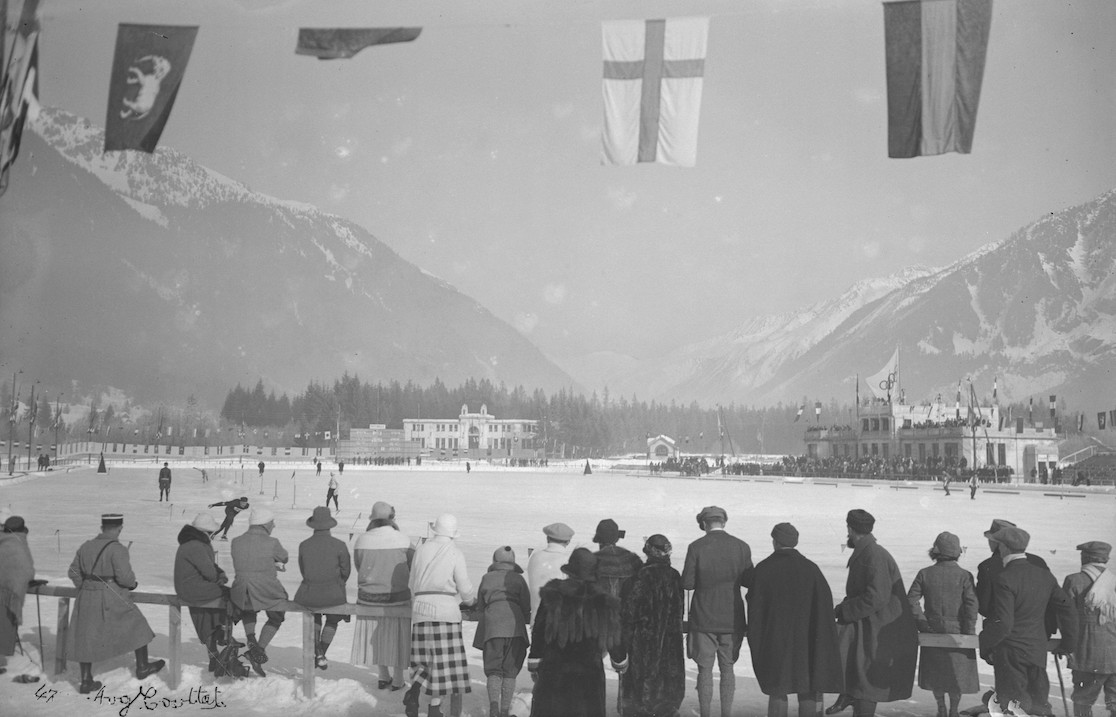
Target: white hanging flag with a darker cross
652 90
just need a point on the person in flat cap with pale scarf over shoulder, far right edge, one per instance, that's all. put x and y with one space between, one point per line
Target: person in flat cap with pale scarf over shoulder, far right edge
1093 662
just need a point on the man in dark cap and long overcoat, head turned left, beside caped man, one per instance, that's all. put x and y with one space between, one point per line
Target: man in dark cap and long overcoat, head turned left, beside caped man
877 630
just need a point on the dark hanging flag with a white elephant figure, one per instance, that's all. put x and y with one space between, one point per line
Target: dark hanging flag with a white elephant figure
148 71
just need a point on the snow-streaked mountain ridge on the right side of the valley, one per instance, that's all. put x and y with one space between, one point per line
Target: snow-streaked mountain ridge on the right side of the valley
1037 311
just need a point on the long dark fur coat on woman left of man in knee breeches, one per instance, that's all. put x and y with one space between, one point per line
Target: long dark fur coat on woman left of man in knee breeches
656 682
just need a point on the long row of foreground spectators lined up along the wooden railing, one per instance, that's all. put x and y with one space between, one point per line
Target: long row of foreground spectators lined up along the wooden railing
570 609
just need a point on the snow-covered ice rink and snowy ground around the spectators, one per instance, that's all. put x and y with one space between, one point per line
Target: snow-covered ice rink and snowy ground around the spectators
494 509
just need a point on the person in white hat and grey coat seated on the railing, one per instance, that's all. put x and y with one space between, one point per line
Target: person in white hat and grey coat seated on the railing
257 558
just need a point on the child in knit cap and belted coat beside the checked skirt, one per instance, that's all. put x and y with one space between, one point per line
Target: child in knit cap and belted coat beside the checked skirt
505 605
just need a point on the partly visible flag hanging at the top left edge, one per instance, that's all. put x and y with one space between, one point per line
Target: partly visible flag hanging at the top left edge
20 84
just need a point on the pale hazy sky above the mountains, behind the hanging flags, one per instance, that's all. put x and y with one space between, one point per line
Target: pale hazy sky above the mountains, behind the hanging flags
475 151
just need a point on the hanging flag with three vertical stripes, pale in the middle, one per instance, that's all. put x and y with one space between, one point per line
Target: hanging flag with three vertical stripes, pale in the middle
936 63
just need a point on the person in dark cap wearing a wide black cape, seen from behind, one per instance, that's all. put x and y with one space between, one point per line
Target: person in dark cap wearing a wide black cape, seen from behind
792 635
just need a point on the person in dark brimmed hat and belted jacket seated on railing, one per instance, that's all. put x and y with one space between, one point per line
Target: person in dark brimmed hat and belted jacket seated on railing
325 565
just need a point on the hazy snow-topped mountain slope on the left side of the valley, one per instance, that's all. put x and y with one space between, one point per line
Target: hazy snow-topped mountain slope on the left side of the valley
159 275
